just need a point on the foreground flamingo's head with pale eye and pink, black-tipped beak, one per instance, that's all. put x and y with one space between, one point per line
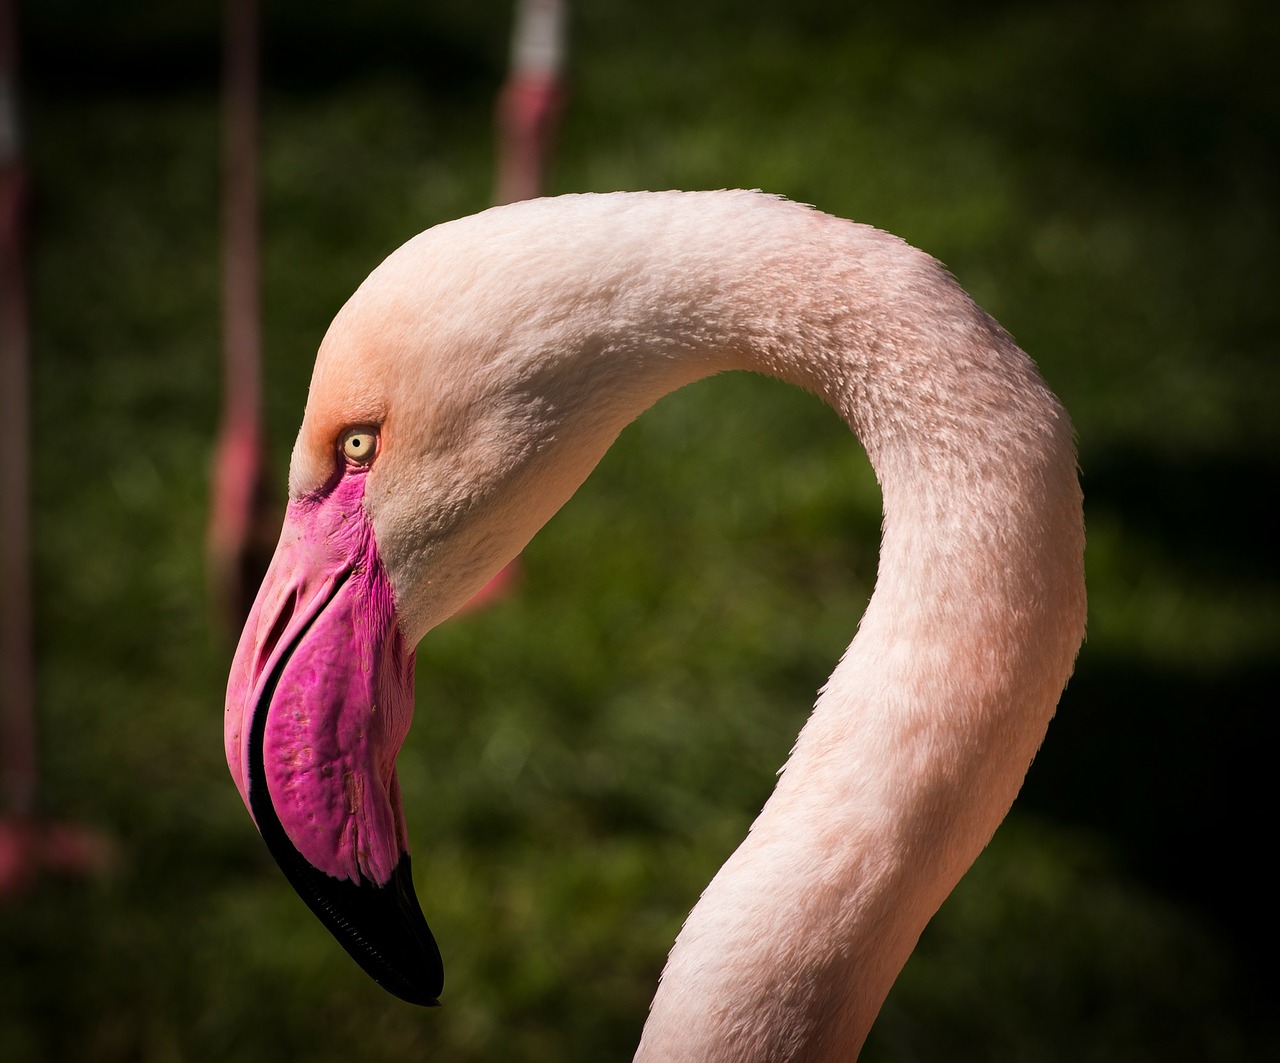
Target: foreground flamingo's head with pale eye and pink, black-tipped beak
438 437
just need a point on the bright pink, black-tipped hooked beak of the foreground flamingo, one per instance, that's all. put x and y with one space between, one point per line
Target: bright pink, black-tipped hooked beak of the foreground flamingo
318 705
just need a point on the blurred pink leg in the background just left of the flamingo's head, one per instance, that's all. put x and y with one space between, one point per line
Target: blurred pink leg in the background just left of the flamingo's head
243 524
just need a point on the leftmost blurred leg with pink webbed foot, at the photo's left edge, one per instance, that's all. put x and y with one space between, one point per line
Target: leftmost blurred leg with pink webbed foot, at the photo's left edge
28 845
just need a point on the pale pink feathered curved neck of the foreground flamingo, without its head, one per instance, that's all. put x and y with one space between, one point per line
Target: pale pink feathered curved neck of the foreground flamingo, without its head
921 741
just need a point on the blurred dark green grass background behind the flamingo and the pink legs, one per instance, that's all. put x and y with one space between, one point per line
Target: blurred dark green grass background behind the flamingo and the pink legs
1101 176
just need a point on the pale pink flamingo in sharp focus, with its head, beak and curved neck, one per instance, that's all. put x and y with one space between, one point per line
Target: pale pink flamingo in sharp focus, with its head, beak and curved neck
460 399
